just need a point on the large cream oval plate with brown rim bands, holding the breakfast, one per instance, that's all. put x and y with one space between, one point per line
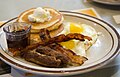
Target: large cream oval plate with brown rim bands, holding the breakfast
105 49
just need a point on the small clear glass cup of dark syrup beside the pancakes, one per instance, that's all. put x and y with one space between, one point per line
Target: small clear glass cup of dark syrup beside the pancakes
17 35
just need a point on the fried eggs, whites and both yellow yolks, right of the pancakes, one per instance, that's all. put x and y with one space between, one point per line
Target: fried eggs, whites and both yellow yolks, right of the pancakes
79 47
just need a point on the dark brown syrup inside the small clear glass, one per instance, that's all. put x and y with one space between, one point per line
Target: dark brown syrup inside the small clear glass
19 42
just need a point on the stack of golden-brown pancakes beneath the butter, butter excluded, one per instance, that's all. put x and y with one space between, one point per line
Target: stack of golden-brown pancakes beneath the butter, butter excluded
54 25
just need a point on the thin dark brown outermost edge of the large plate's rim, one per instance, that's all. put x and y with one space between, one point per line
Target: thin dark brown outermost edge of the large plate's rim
73 71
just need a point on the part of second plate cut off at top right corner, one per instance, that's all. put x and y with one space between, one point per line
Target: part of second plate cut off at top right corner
108 2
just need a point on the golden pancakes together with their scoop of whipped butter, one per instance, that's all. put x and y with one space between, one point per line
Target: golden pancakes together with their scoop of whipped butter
42 17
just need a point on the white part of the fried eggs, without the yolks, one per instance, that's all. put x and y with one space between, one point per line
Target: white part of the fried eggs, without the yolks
80 47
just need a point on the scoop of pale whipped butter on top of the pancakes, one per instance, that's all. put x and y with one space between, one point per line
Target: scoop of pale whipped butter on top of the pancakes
40 15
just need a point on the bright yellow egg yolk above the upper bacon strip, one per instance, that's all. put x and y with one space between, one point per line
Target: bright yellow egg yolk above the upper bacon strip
75 28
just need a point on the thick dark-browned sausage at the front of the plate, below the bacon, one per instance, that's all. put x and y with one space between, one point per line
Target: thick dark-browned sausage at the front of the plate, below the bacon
41 59
